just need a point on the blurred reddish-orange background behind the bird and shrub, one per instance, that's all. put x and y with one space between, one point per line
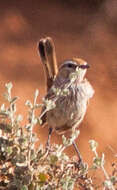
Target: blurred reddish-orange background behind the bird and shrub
86 29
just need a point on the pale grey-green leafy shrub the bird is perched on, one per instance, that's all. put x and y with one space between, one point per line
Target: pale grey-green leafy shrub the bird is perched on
24 167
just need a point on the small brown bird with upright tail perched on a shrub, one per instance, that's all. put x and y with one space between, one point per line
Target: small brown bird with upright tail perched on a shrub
67 87
